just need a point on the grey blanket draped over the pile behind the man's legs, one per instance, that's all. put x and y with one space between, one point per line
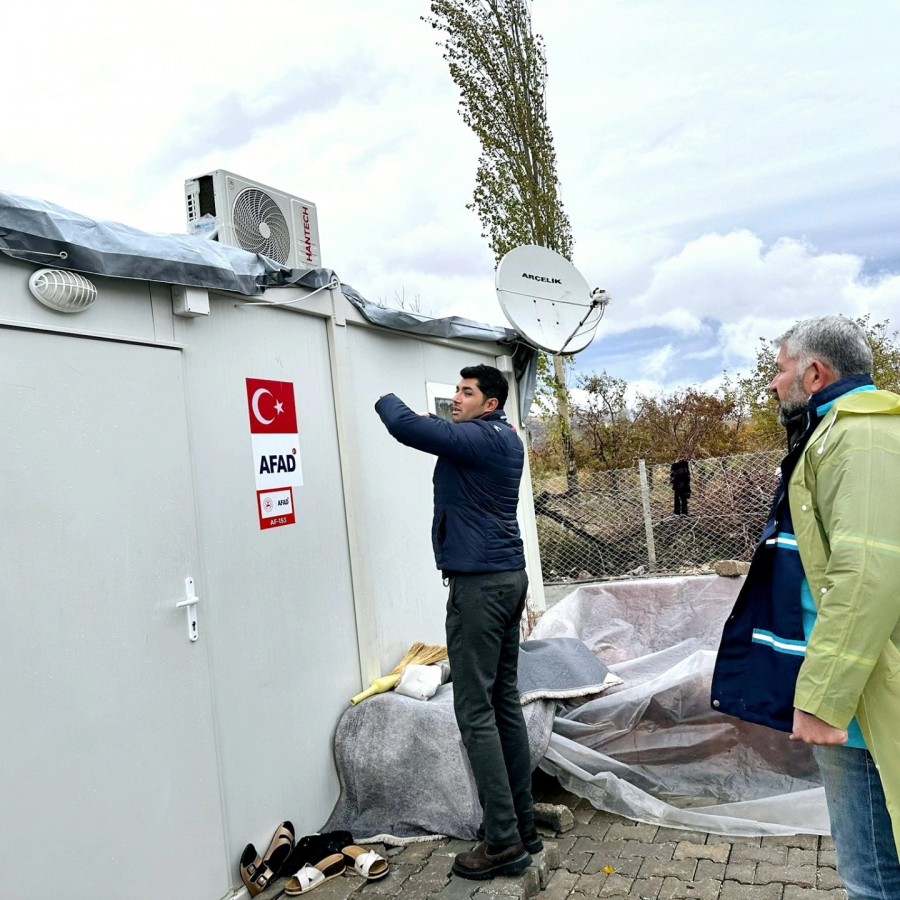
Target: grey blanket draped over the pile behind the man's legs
402 766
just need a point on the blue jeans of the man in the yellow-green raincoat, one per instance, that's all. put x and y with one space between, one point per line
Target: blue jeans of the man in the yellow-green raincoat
860 823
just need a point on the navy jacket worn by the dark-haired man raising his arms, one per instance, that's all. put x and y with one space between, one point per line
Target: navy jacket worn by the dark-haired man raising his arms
476 485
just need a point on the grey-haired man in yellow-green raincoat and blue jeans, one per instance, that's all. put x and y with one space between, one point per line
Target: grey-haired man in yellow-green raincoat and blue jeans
813 649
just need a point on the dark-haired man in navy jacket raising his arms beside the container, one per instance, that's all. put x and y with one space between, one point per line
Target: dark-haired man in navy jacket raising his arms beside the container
478 548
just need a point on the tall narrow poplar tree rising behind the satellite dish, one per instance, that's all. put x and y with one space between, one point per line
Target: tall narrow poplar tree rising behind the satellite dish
500 68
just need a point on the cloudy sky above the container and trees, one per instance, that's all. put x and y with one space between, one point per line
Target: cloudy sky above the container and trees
727 167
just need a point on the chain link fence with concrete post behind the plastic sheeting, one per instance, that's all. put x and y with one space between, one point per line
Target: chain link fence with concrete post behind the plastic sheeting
623 522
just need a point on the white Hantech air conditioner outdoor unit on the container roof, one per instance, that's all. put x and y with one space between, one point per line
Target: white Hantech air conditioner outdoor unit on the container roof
255 217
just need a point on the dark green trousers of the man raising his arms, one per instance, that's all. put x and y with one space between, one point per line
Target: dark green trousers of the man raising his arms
483 613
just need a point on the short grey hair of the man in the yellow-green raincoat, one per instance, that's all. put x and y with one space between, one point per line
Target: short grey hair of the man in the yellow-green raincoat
838 342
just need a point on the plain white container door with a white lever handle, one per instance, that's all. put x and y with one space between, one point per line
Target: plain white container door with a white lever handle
109 782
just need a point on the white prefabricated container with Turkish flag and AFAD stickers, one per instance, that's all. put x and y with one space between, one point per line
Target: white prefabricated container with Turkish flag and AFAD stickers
174 656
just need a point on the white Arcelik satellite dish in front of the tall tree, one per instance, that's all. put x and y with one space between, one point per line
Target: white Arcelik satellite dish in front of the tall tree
546 299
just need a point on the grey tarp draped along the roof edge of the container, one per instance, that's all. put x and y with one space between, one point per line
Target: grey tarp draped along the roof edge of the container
43 233
